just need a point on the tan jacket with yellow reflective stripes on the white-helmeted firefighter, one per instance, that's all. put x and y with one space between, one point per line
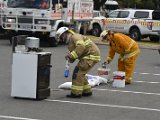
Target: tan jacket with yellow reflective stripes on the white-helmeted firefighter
81 47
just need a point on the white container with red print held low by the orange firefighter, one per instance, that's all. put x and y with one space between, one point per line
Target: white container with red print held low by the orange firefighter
104 72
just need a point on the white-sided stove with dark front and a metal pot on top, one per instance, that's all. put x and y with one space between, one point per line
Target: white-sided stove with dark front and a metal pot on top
30 69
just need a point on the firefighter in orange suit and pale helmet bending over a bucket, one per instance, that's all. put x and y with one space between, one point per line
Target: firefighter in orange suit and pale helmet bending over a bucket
126 47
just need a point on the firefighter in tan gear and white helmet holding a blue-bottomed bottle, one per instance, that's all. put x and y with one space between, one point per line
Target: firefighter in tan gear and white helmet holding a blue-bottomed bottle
82 48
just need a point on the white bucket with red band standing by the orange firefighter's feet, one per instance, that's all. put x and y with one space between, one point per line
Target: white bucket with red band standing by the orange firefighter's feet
118 79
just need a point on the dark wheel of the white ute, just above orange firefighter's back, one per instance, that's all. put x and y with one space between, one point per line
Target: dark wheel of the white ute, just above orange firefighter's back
135 34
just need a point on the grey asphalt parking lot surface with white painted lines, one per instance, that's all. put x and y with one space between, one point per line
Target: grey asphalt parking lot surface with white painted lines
138 101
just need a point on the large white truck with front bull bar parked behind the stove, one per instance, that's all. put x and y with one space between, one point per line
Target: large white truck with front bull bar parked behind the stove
42 18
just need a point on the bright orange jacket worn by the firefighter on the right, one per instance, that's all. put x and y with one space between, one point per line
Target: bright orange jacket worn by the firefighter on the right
123 45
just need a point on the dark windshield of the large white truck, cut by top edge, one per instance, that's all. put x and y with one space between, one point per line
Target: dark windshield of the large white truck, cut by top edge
40 4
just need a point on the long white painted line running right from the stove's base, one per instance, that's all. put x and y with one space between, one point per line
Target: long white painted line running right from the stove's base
104 105
